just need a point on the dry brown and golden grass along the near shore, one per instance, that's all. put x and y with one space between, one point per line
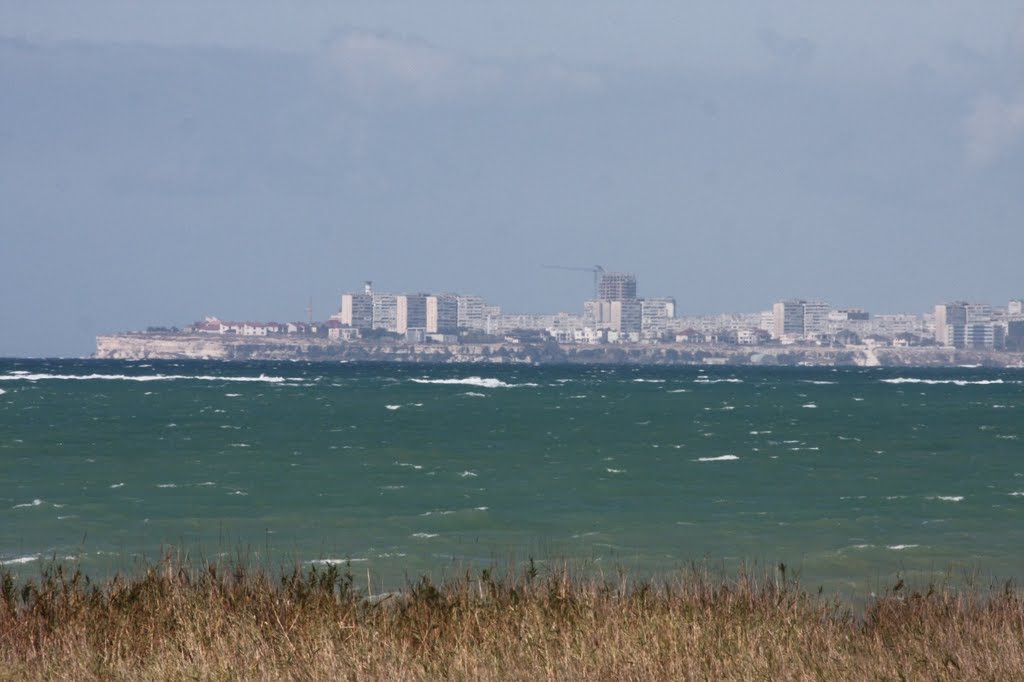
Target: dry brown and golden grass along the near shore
232 623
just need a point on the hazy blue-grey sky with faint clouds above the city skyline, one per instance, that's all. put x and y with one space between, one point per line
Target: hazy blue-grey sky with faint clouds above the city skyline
163 162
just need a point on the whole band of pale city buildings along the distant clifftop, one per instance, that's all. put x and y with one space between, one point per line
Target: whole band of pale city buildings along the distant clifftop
617 315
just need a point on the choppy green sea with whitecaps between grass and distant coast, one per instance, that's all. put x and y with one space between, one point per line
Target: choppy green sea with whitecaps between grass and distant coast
852 478
